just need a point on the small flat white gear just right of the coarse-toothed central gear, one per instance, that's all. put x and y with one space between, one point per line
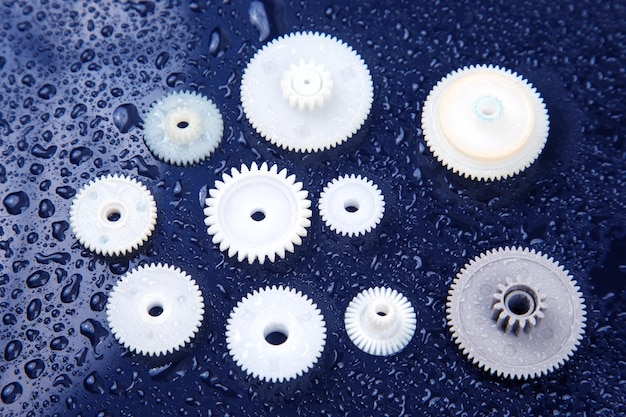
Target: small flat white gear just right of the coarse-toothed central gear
351 205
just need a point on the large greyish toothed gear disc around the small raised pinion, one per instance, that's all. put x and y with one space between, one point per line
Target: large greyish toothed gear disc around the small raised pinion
529 354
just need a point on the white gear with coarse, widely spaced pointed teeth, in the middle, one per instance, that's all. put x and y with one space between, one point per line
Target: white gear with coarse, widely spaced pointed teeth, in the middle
257 213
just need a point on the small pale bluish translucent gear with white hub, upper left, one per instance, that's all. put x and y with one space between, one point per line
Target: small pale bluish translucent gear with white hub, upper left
183 128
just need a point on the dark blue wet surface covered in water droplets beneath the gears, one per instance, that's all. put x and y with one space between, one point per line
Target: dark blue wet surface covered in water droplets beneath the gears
76 78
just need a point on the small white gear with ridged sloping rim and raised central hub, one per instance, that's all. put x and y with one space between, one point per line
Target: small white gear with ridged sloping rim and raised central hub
380 321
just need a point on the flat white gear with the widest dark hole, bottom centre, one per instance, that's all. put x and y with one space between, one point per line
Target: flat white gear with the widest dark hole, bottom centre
276 334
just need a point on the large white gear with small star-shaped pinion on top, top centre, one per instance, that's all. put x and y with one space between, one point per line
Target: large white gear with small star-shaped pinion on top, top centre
345 109
